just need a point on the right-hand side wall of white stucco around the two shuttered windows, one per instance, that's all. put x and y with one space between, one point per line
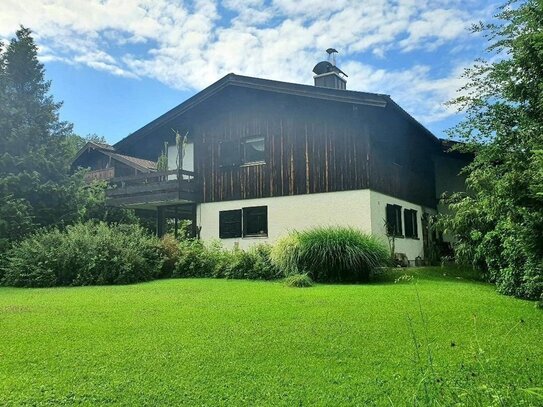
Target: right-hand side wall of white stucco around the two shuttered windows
411 247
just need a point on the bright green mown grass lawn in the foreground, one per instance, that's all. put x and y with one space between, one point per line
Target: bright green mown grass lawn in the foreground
219 342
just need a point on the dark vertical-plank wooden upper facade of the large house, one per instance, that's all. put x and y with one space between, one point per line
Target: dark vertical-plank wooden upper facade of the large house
313 144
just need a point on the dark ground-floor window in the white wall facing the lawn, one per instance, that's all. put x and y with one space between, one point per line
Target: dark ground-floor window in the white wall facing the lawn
246 222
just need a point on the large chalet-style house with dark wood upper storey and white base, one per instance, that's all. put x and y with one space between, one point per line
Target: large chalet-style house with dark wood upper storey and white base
263 157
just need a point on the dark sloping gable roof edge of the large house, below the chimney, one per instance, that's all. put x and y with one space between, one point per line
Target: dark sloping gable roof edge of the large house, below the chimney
345 96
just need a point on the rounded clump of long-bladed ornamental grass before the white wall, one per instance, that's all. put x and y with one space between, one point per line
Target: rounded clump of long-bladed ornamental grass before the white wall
330 254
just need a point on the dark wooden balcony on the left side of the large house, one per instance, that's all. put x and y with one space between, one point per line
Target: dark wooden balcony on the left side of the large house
153 189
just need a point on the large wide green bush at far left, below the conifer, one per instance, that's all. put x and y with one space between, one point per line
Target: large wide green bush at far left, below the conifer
84 254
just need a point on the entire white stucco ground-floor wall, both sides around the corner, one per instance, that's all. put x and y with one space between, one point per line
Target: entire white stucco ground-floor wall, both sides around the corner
362 209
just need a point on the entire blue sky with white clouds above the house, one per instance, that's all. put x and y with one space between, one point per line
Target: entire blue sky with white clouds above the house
118 64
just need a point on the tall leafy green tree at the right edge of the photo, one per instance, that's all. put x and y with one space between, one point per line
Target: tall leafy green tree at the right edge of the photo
498 224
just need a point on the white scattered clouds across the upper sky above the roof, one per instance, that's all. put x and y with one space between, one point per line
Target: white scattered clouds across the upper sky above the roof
189 44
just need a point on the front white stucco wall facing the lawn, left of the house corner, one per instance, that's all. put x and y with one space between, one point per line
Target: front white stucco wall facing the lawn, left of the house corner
298 212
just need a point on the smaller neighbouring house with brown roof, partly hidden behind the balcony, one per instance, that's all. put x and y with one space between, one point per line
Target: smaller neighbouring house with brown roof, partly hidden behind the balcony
105 163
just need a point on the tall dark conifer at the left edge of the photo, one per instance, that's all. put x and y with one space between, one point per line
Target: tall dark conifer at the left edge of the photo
35 186
